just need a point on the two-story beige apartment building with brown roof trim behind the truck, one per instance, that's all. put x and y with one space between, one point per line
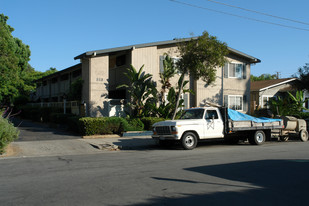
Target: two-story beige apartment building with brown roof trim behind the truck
103 70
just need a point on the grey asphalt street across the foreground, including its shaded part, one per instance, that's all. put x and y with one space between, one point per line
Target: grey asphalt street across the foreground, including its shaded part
275 173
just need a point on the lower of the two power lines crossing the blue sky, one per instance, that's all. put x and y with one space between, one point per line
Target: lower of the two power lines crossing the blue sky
239 16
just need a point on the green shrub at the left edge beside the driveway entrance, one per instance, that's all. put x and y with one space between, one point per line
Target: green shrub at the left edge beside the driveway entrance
7 133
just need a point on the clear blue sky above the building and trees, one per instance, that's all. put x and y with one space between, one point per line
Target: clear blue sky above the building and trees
59 30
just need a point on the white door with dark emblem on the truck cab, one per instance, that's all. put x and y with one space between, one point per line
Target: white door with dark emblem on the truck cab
213 124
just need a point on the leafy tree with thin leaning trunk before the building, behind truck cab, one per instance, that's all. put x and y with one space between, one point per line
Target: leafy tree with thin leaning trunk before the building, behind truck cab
200 57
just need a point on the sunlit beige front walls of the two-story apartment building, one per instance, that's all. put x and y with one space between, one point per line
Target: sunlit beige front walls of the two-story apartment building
96 72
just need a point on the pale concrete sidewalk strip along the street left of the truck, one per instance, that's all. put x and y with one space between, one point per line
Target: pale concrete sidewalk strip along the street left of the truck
77 146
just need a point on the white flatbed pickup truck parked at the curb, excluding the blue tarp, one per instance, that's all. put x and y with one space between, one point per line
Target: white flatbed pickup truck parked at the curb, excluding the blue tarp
213 122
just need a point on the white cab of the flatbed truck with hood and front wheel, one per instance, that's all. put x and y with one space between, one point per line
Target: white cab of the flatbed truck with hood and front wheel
195 124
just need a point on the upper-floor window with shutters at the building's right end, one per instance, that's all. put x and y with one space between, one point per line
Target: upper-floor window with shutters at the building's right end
235 70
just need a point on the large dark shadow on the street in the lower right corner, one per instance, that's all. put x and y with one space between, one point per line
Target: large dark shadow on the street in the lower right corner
266 182
